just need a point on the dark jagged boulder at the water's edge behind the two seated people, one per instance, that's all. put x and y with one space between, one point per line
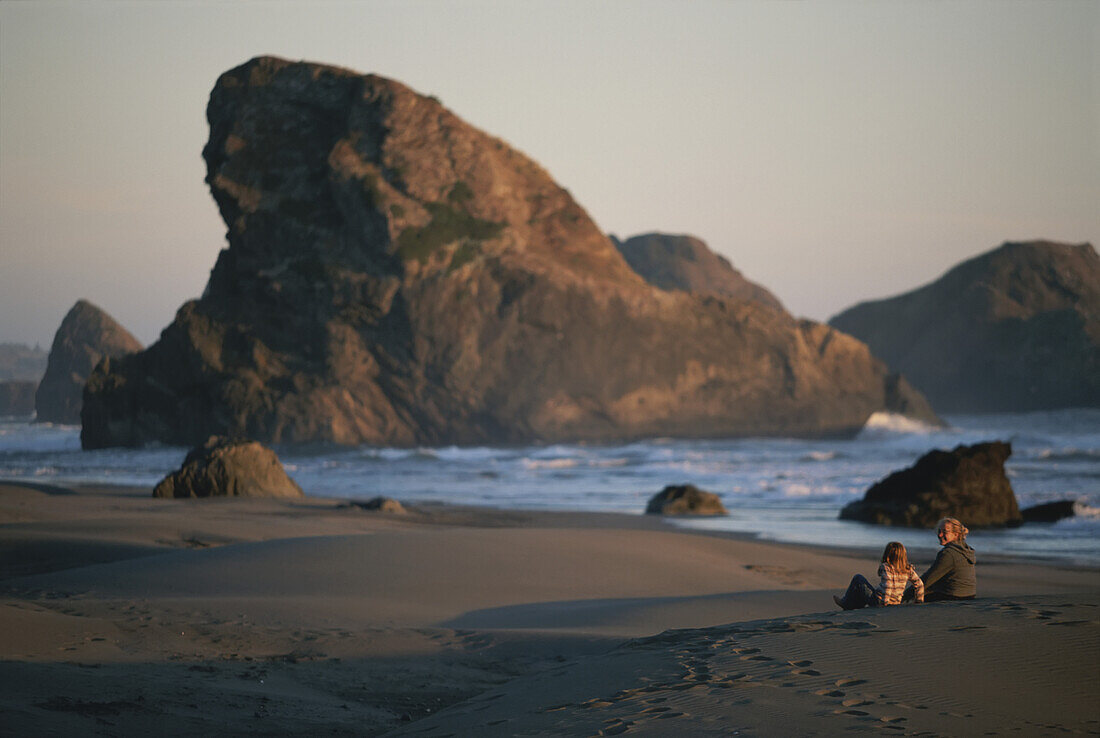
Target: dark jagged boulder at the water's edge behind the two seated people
967 483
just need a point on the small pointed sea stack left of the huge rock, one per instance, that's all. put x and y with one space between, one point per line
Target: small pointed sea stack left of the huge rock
86 336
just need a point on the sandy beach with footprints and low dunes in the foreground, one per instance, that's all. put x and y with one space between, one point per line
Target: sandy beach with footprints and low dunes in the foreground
126 615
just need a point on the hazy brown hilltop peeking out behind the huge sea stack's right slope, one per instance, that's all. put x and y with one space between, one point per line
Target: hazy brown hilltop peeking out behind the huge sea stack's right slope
685 262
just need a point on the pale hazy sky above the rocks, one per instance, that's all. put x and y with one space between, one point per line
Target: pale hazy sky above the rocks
834 152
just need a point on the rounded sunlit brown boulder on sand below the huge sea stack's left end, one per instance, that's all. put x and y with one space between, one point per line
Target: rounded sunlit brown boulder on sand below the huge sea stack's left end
225 468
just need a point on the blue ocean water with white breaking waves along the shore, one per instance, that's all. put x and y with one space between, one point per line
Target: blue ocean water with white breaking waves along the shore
782 490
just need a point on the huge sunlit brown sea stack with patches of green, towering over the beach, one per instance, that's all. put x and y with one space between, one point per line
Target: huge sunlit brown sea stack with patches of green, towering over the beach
398 277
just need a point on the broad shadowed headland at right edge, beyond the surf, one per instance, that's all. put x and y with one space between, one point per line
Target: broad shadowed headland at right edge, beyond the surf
1015 329
